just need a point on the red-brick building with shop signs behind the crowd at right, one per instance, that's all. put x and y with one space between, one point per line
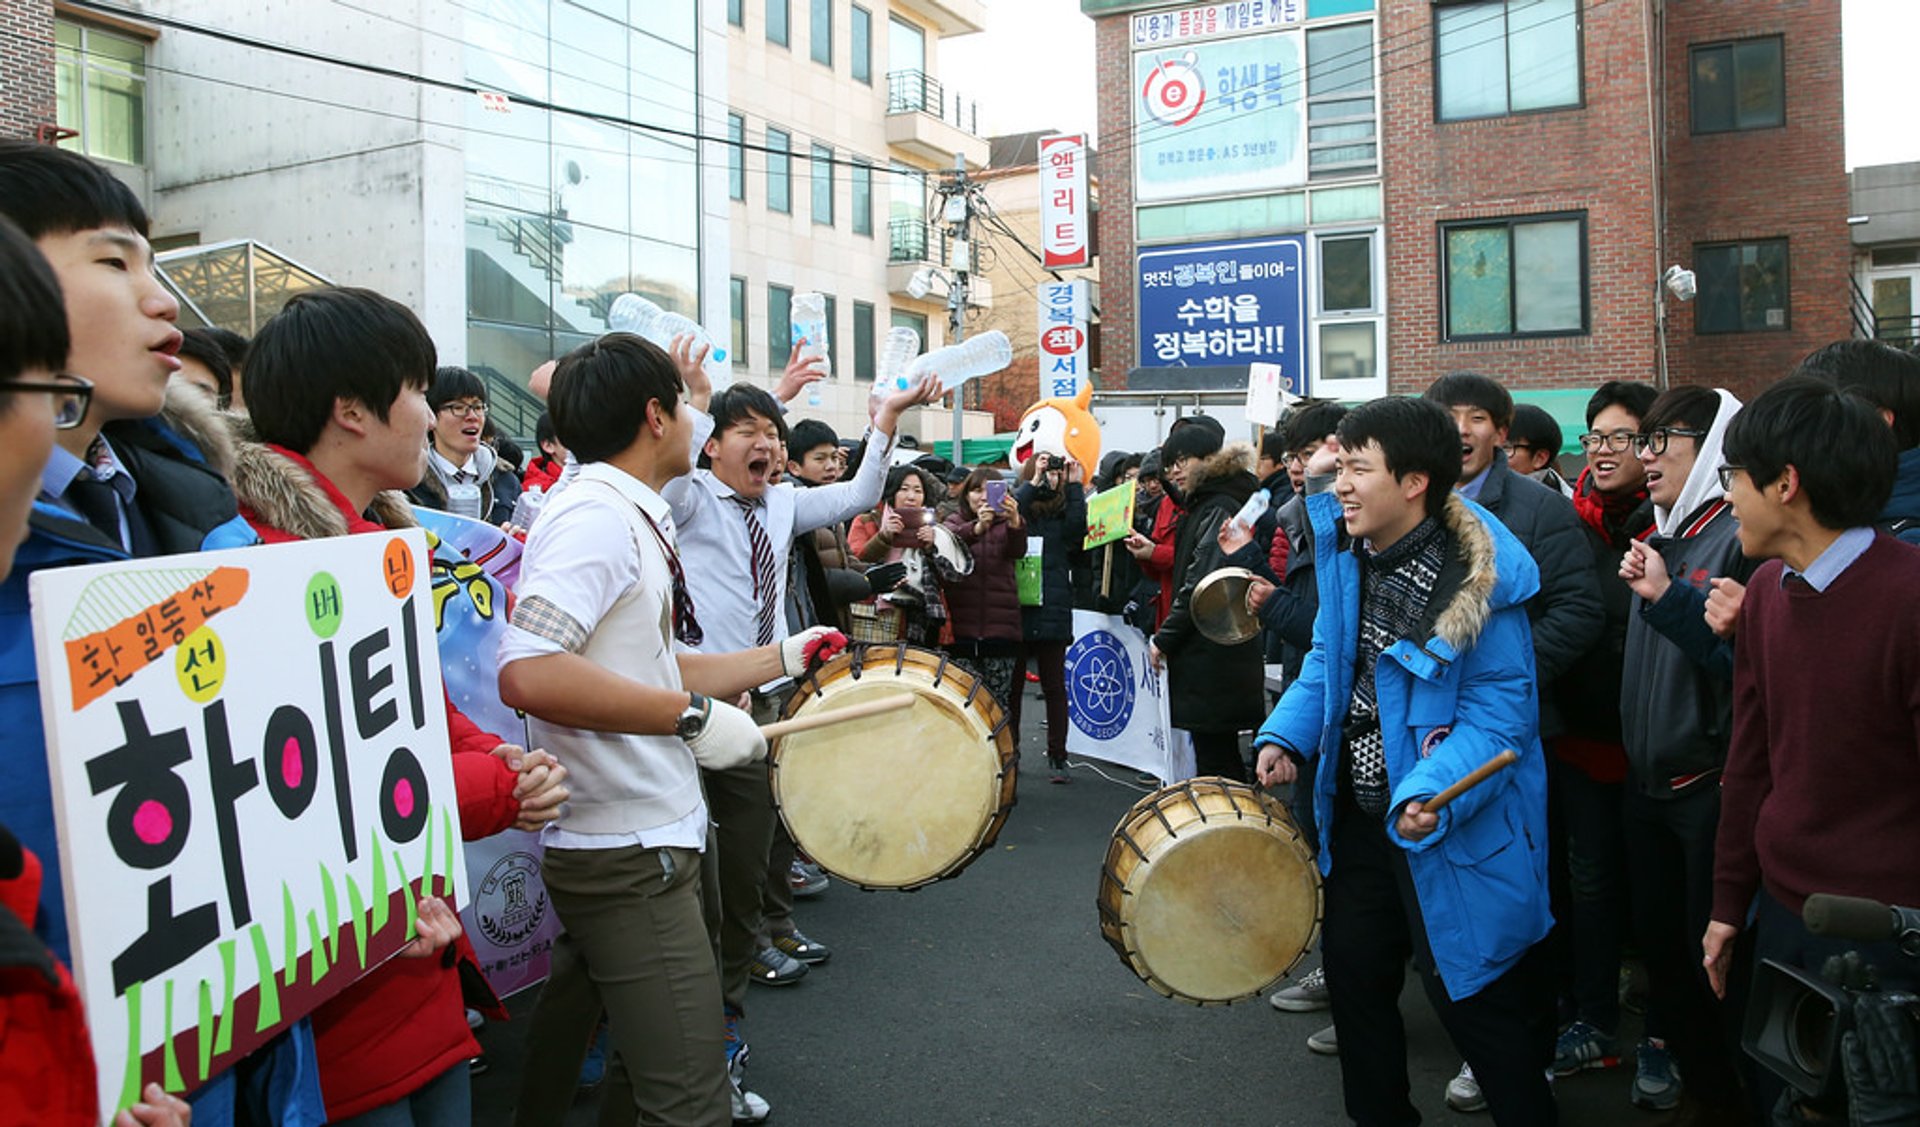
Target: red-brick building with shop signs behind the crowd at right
1491 185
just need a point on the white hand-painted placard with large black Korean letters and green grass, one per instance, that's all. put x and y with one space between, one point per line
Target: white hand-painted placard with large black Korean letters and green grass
252 788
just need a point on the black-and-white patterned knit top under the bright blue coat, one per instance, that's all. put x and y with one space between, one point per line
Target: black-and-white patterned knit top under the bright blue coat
1395 592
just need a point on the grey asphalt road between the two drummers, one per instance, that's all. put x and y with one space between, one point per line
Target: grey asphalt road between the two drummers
994 1001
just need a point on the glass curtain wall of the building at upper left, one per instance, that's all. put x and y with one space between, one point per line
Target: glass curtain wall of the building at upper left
565 212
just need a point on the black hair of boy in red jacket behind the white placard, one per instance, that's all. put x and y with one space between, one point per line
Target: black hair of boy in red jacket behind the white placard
333 345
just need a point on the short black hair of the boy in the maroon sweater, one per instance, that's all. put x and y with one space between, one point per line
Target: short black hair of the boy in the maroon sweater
1836 441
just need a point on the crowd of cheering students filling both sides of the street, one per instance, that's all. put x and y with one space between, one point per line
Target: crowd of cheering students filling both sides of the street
1704 650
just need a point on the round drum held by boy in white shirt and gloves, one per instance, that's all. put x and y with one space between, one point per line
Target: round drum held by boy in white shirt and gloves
907 798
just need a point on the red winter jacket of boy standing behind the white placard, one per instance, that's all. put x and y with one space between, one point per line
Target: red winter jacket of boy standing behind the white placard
406 1022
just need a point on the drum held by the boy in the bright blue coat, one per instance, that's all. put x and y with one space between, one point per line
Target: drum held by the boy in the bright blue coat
1209 892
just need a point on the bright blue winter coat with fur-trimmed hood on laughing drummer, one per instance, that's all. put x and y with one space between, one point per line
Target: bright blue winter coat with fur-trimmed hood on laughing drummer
1456 694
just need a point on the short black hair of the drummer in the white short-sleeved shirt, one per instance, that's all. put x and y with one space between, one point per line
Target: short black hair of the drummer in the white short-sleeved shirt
602 391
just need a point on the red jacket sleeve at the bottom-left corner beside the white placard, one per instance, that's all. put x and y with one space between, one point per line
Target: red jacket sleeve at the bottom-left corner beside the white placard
47 1063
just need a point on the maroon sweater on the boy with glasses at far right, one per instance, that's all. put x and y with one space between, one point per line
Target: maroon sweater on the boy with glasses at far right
1823 779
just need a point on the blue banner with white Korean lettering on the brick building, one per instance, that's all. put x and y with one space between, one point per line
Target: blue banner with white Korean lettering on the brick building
1226 304
